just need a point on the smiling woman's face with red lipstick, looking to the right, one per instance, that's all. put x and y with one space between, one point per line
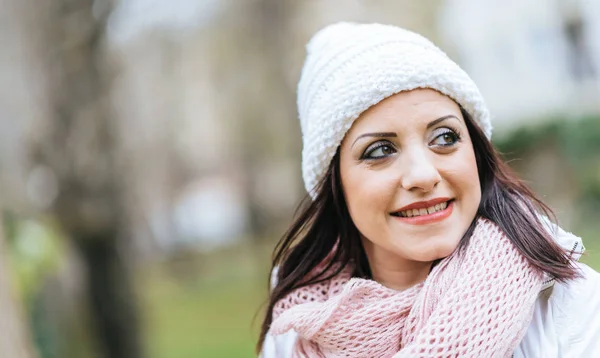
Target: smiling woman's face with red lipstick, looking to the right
410 178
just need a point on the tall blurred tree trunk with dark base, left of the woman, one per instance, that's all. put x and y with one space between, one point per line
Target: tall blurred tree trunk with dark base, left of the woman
79 145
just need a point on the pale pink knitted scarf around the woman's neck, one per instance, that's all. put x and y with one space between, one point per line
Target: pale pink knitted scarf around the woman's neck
474 304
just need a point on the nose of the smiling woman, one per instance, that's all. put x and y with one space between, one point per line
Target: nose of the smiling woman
419 172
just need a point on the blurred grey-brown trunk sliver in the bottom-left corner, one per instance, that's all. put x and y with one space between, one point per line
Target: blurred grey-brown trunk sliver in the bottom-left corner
14 338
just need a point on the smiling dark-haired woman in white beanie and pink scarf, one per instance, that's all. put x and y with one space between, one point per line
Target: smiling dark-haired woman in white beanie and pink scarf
417 240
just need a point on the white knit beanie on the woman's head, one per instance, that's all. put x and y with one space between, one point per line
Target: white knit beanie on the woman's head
350 67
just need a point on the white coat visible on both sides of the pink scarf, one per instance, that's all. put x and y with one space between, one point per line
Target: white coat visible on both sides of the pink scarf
565 323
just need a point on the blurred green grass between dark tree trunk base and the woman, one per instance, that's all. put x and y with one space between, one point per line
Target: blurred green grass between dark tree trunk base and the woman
202 317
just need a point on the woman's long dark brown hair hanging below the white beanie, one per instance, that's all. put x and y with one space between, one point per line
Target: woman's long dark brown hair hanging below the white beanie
324 229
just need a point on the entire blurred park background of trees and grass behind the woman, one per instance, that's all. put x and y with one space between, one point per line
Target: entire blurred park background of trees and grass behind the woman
150 153
